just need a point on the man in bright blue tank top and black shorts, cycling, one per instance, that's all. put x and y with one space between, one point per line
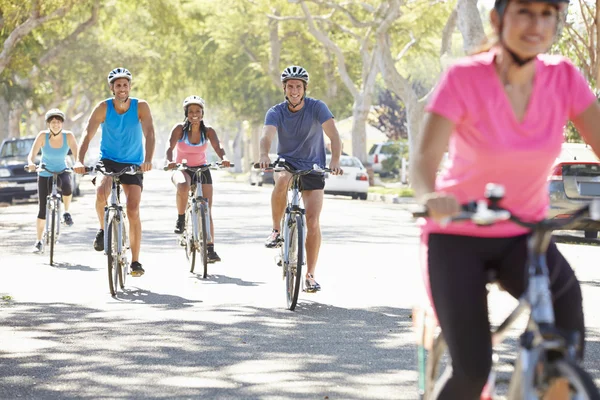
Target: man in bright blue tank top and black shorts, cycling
126 122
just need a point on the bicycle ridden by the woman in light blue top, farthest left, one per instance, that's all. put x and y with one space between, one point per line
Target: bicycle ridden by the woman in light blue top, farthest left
53 211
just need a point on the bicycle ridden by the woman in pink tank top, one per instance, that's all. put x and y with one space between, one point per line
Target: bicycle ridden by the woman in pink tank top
196 234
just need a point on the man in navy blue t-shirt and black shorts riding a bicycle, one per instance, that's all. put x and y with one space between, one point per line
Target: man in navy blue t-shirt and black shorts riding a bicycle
299 123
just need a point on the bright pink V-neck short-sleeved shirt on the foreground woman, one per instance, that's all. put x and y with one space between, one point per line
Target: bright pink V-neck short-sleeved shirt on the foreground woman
489 144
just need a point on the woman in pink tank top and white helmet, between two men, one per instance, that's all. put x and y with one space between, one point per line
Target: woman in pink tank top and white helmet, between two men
190 140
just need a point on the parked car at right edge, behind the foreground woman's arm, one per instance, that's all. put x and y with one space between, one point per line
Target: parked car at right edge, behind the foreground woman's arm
575 180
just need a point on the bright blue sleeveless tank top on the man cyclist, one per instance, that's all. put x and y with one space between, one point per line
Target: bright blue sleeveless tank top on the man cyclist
122 135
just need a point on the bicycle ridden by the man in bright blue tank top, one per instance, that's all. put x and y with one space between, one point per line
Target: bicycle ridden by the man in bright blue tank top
116 228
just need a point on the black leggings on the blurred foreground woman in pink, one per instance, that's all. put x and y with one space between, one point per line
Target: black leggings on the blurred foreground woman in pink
458 270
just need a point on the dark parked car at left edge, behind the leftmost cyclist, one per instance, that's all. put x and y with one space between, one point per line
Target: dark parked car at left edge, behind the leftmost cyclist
15 182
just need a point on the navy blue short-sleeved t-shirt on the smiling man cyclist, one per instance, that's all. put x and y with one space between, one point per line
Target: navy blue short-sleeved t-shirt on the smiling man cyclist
301 141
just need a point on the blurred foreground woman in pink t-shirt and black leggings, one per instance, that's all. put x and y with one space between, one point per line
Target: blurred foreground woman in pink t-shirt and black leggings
501 115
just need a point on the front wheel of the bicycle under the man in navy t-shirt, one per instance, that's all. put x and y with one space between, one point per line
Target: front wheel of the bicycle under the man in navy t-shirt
294 259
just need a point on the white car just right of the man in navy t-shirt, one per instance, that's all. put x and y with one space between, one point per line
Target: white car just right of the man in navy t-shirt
354 182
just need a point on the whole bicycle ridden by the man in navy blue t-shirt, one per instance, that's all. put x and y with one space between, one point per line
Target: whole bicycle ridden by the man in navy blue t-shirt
293 227
